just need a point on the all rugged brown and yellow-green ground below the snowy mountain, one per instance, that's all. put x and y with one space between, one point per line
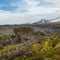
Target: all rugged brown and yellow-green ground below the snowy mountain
30 42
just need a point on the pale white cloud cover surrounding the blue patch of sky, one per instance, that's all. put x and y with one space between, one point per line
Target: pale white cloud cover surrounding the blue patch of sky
33 12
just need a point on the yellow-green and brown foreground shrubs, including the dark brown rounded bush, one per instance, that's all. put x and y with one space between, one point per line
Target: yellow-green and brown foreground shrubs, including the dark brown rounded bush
41 47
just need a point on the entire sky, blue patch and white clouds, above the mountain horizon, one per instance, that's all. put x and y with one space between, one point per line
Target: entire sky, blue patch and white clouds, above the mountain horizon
28 11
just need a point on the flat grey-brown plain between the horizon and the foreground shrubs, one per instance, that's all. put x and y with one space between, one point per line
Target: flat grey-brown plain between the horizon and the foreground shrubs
46 28
